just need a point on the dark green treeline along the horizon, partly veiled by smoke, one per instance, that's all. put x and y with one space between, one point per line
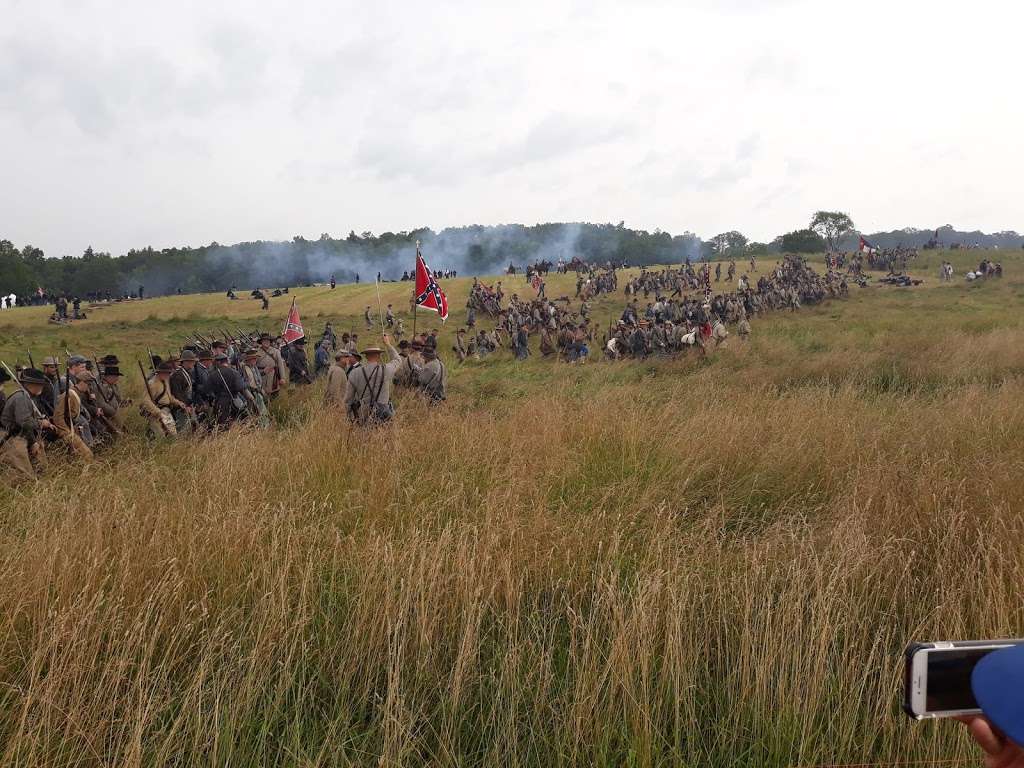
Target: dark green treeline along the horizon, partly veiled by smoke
470 250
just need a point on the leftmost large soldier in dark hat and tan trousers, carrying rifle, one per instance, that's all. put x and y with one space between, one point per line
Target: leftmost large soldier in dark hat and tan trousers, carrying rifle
21 426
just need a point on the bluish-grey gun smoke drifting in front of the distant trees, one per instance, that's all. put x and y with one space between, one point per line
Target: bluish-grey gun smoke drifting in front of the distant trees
471 251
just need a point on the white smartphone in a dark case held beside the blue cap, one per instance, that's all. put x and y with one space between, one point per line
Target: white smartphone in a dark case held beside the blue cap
937 677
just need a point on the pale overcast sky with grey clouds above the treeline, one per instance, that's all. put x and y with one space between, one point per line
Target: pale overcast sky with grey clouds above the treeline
127 124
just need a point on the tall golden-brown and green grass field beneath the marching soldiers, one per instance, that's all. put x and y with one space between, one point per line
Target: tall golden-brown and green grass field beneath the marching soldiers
703 562
